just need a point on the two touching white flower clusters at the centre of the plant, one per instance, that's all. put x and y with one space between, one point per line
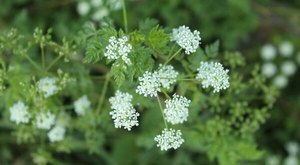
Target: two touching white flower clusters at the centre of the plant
151 82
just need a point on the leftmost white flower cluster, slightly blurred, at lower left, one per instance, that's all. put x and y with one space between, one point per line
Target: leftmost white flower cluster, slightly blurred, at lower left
19 113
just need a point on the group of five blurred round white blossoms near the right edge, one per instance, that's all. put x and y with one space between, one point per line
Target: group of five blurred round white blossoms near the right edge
269 66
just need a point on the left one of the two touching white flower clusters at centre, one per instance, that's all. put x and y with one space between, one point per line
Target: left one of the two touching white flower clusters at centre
149 84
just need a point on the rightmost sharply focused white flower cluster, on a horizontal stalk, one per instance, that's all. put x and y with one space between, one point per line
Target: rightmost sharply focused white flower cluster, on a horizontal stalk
213 74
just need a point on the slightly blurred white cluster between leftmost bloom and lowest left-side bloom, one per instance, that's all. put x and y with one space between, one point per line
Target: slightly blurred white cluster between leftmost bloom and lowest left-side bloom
45 120
